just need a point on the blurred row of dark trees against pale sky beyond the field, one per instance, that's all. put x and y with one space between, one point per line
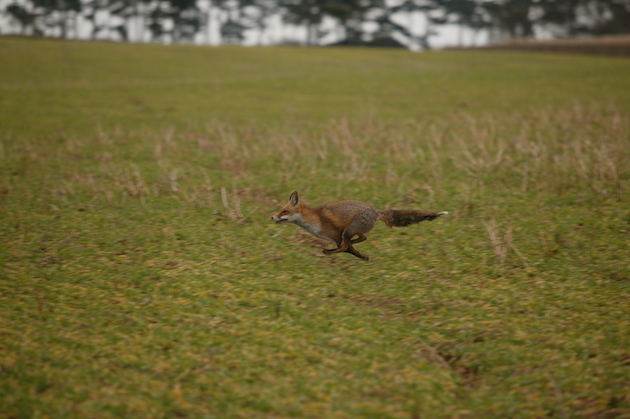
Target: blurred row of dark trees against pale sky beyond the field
346 22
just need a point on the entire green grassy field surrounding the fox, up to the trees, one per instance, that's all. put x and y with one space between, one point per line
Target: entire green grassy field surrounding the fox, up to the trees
141 275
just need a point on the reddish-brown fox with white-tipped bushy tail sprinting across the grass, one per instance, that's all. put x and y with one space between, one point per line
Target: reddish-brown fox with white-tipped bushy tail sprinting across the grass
340 221
